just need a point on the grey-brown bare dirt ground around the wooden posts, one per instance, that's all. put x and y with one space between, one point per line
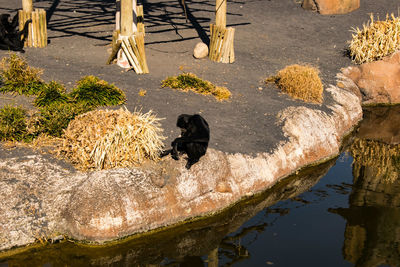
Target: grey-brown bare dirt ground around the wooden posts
270 34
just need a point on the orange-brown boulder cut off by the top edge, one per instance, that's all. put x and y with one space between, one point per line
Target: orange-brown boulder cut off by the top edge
329 7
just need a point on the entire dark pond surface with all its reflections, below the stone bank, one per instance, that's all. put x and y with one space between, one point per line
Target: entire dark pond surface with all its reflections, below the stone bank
341 213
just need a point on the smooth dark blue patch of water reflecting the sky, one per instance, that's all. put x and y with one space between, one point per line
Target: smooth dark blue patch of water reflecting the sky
302 231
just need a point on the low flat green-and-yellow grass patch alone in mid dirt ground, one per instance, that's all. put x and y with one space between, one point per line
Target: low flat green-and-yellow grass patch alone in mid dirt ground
189 81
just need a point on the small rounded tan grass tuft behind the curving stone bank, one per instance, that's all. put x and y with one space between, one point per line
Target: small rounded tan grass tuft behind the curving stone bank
301 82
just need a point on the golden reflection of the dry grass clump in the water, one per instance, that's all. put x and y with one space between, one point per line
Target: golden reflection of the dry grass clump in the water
383 158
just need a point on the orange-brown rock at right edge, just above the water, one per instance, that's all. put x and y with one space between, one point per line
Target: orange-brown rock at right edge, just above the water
376 82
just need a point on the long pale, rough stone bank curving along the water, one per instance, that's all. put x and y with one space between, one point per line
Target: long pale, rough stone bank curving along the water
41 199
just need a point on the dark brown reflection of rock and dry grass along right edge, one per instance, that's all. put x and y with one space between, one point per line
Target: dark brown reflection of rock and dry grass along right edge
372 235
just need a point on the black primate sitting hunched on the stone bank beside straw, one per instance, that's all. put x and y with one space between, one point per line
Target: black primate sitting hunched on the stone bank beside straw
195 134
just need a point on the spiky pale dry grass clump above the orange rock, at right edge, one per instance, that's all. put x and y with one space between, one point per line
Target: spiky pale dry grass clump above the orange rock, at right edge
376 40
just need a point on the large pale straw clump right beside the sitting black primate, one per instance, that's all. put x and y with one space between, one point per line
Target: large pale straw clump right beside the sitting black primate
105 139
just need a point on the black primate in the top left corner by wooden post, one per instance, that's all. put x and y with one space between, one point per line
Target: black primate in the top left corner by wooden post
10 37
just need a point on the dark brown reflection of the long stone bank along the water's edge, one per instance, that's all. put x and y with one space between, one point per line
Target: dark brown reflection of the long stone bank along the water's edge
183 245
